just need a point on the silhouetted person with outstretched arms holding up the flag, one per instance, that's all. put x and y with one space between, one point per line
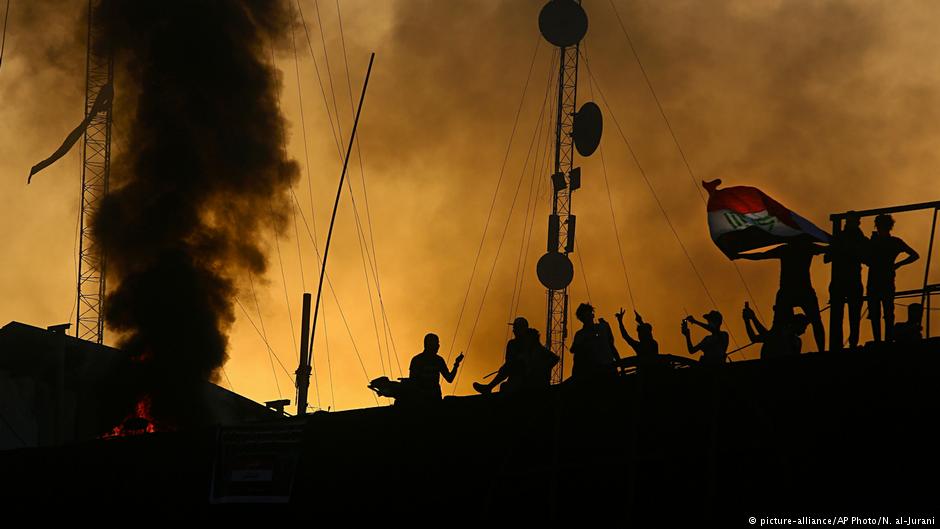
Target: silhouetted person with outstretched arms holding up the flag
796 287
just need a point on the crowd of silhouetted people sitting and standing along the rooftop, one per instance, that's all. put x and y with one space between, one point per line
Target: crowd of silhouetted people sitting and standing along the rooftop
528 362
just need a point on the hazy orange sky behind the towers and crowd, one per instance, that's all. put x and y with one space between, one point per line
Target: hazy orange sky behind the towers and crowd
826 106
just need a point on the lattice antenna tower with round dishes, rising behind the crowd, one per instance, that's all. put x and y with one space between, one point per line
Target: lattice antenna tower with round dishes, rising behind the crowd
564 23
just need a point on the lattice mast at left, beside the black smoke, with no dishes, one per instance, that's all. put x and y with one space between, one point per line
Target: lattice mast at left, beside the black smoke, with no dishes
96 152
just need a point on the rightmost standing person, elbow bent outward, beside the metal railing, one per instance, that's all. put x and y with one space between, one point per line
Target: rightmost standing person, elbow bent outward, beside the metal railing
885 249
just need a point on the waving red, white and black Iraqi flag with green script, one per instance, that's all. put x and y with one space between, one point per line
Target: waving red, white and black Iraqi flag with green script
743 218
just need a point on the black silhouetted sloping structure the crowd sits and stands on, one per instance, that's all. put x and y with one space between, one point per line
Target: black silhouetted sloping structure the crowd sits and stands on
846 433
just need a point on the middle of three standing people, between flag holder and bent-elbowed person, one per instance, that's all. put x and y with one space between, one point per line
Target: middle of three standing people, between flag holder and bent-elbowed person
848 249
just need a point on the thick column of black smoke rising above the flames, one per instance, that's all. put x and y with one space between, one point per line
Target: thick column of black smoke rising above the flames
200 165
